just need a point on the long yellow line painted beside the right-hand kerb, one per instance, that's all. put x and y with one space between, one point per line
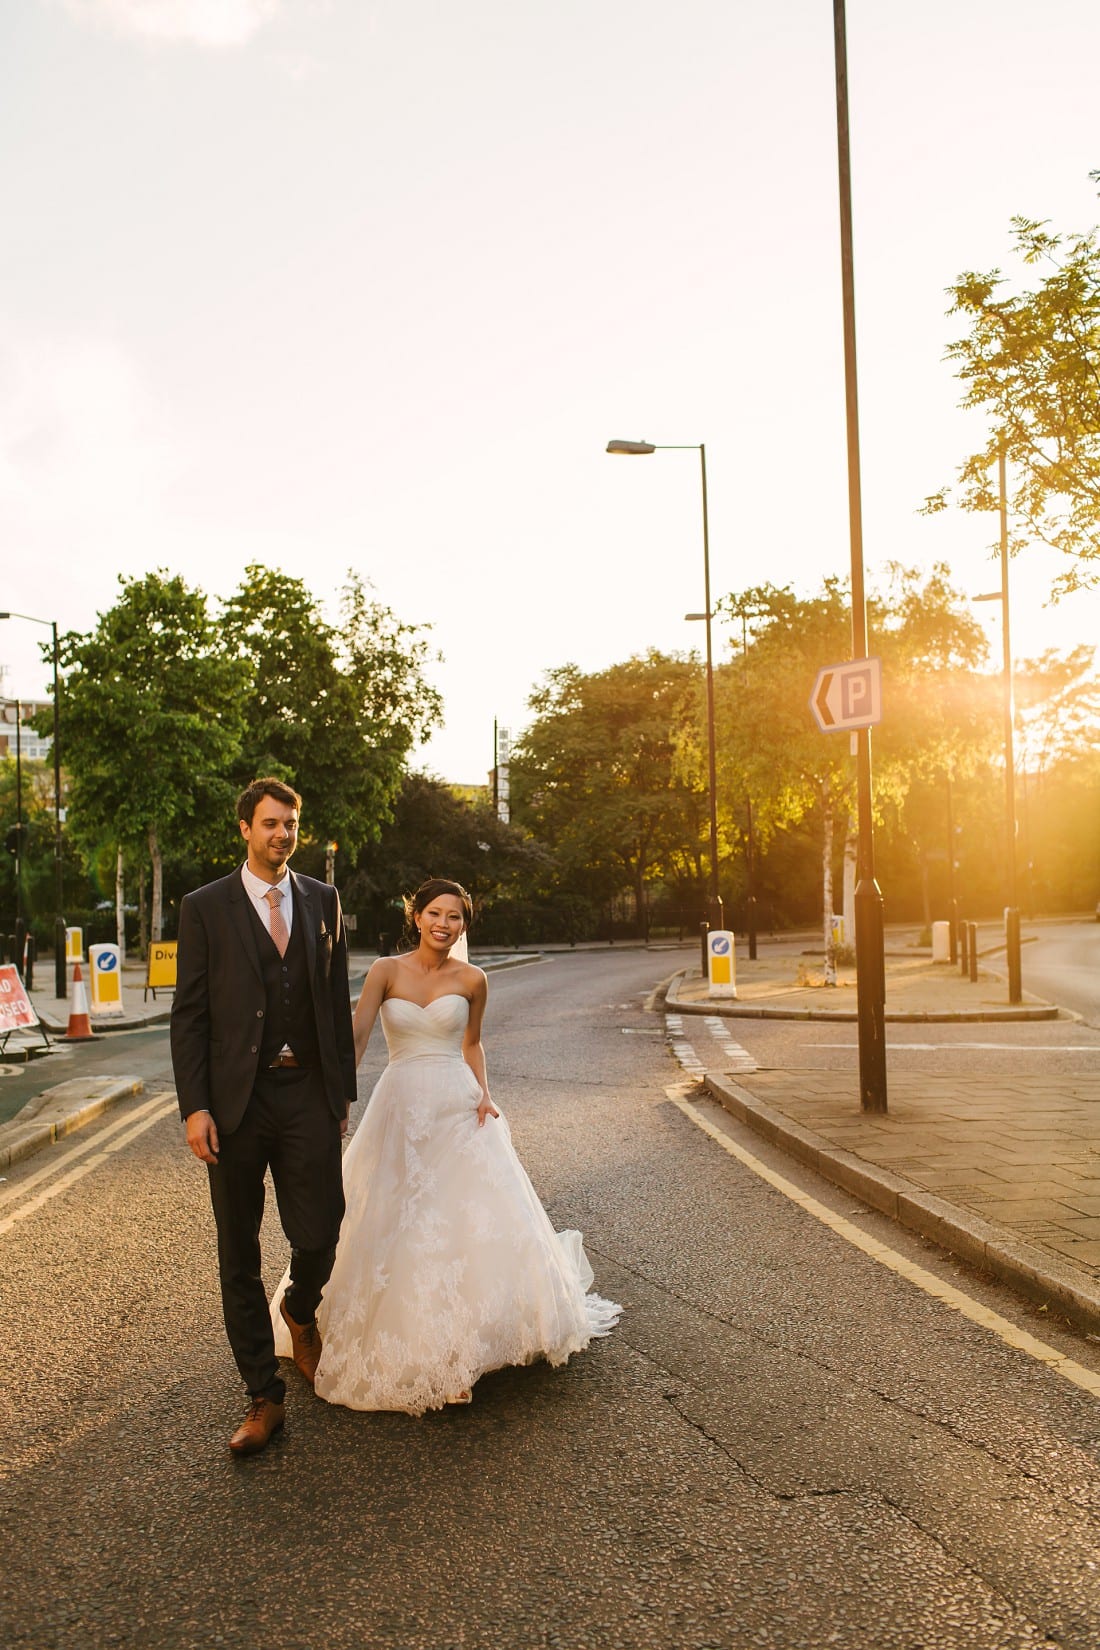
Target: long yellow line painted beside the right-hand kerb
1088 1380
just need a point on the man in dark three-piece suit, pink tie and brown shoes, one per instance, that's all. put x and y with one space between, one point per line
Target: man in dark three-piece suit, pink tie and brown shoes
265 1065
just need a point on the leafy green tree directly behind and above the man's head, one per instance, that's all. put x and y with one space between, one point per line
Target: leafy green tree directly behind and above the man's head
332 712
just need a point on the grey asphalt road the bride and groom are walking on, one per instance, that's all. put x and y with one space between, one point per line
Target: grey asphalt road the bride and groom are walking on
784 1445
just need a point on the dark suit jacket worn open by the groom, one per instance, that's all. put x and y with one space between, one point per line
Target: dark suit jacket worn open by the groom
220 997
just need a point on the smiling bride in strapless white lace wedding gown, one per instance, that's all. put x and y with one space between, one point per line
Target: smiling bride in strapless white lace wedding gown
448 1265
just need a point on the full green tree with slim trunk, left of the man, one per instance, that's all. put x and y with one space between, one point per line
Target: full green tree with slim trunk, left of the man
151 709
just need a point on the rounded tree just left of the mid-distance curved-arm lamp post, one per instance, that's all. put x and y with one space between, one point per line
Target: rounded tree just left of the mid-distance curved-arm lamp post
608 776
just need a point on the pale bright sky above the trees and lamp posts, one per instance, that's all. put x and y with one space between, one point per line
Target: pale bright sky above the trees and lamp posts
370 285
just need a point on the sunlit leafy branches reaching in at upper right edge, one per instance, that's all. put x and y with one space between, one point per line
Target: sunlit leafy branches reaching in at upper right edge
1032 364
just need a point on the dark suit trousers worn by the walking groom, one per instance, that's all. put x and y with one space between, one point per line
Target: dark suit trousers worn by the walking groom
289 1128
